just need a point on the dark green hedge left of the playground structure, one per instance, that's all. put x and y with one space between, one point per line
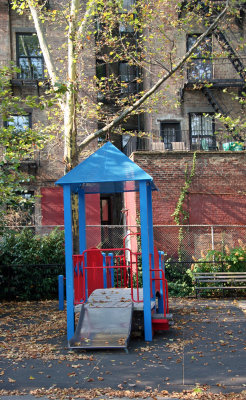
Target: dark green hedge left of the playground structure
30 265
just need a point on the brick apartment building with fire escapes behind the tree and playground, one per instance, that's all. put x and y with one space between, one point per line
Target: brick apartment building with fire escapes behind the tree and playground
211 83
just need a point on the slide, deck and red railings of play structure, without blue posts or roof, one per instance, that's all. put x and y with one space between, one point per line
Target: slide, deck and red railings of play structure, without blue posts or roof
107 284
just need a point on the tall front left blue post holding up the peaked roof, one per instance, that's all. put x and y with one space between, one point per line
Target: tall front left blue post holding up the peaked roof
69 259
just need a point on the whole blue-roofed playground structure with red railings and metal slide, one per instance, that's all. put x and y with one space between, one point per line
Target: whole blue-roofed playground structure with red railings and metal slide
105 282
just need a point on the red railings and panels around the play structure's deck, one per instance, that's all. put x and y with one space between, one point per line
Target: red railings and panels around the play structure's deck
106 268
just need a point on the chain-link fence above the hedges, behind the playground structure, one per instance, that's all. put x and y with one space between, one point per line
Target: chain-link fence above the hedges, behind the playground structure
187 241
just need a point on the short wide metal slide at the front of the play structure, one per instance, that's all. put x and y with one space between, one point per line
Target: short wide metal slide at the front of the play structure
104 321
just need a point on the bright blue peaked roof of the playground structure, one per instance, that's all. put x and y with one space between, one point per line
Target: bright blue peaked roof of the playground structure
107 170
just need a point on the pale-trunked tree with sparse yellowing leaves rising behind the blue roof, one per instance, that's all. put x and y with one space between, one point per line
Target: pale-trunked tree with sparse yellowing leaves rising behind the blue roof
143 36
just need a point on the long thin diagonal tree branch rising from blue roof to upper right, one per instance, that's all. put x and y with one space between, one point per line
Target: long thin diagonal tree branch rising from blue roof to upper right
116 121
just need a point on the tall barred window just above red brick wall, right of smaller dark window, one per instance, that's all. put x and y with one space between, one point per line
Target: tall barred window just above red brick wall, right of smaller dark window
202 131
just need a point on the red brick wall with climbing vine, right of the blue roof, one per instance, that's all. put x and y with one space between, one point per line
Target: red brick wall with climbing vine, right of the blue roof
217 194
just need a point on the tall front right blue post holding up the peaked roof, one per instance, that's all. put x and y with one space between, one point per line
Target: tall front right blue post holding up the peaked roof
145 260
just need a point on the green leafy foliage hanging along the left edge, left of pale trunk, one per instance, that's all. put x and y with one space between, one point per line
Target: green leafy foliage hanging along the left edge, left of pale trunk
17 145
